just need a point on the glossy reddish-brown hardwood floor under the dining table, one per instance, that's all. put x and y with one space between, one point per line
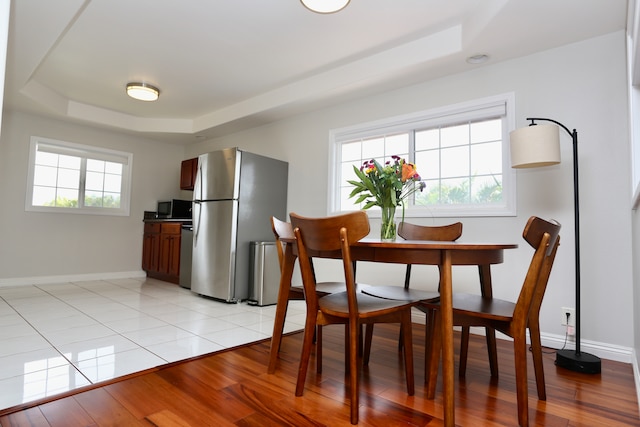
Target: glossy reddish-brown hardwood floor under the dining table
233 388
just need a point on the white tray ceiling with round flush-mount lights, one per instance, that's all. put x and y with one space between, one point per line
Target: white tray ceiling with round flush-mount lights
225 65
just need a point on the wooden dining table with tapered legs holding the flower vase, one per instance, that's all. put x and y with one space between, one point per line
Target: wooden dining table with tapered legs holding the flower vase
443 254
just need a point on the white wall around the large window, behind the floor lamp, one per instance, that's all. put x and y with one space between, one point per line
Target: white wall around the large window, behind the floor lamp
581 85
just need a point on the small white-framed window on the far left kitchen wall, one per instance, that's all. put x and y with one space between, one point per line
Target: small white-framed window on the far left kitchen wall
74 178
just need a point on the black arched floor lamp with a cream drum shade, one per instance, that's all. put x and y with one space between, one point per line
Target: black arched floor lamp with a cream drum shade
539 145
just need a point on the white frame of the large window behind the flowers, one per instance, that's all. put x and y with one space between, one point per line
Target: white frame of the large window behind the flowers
471 110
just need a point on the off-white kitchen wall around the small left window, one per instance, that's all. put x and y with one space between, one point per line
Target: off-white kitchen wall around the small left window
39 244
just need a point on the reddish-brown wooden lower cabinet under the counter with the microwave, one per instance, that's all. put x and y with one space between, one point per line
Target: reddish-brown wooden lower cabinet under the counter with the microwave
161 251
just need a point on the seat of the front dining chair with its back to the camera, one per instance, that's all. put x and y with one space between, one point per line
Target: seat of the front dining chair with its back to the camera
336 305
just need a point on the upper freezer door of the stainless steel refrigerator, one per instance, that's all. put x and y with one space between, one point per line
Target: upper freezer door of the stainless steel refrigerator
217 177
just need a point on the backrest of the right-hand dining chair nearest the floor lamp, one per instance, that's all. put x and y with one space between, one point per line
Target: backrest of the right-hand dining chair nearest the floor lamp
544 237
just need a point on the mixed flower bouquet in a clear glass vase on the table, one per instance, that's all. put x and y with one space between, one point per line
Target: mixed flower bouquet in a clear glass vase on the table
386 186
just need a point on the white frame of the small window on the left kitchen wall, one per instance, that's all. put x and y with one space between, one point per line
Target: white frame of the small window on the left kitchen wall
85 152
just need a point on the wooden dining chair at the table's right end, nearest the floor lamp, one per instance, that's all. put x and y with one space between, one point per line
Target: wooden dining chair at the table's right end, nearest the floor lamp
512 319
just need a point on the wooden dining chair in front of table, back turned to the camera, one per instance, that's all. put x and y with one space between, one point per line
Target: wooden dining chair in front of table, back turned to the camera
331 237
